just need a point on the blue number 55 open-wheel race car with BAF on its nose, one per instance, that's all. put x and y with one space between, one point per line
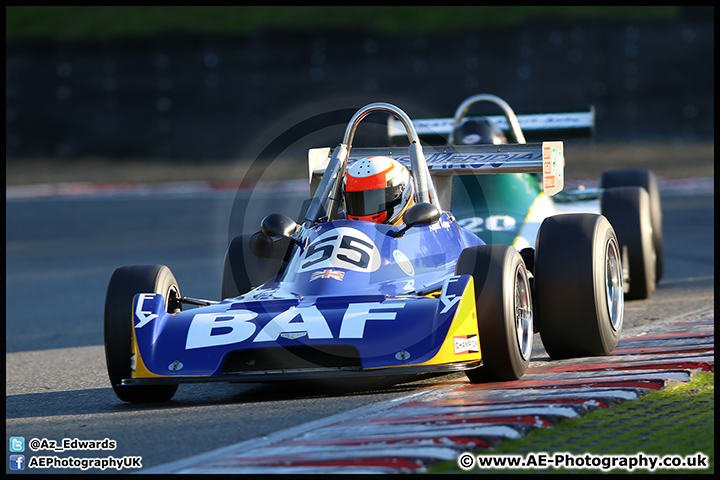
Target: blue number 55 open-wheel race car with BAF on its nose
334 297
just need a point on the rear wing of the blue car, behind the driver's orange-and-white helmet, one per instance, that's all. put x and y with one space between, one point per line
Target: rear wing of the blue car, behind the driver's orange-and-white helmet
546 159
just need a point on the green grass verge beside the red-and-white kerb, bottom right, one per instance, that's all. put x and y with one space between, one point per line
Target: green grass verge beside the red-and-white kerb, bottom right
676 421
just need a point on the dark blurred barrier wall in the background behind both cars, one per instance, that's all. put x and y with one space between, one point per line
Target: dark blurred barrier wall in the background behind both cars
206 97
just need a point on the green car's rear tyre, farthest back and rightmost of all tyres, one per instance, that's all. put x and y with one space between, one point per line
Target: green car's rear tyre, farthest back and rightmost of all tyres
640 177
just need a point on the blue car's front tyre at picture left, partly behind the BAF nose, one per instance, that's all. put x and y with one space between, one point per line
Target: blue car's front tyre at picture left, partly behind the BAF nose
125 283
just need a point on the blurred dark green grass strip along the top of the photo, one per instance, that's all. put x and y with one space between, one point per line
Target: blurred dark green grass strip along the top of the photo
105 21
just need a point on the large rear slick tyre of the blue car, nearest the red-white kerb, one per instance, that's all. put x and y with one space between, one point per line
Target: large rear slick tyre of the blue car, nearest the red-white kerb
578 286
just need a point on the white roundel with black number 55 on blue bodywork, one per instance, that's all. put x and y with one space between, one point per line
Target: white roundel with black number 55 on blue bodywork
341 248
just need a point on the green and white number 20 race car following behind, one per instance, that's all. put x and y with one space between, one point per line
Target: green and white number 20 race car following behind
510 209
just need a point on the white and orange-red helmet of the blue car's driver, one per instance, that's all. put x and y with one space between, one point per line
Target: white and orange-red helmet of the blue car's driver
377 189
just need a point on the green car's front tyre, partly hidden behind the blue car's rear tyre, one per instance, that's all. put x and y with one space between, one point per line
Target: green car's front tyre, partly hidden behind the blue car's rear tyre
628 210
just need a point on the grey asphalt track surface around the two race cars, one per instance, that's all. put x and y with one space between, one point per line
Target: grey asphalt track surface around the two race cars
61 252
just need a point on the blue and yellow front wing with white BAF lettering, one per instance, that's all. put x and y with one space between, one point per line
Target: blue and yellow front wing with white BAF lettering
317 338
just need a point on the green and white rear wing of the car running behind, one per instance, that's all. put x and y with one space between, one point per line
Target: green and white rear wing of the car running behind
565 125
